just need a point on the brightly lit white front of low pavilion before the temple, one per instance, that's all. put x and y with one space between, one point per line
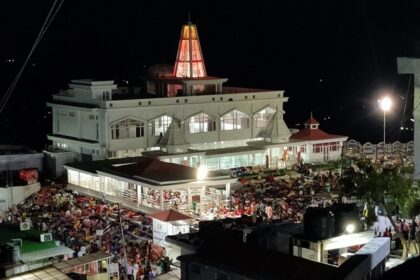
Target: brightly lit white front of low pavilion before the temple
184 196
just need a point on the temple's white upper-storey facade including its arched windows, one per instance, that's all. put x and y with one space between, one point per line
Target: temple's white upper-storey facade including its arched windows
89 128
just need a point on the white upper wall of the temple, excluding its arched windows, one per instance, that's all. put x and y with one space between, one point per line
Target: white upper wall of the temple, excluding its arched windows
77 121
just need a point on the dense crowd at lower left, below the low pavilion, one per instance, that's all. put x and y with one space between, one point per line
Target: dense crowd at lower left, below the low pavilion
88 225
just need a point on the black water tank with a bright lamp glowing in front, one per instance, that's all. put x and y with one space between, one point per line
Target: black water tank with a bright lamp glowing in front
346 214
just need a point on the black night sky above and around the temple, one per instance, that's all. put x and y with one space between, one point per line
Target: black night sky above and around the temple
331 57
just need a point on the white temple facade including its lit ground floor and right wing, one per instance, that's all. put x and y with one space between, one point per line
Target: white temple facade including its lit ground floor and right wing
100 129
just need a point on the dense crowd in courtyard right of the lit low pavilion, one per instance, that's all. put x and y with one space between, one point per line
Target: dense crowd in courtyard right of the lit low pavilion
286 197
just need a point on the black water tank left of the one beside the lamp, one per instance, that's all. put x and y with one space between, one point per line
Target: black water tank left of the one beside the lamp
318 223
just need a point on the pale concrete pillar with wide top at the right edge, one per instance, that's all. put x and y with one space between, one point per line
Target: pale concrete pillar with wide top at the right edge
412 66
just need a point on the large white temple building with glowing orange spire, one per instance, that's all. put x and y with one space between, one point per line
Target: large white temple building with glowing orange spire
181 115
